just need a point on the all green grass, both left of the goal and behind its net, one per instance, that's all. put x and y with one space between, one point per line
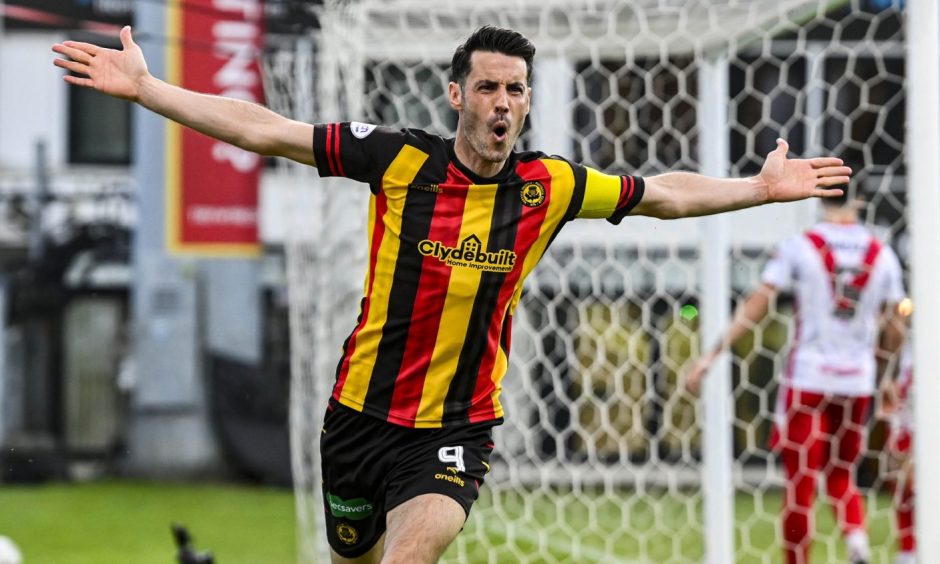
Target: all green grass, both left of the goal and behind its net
129 522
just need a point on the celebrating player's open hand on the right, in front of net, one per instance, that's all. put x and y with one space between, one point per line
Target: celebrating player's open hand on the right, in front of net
788 180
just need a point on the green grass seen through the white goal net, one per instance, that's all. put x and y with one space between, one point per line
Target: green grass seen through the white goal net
650 528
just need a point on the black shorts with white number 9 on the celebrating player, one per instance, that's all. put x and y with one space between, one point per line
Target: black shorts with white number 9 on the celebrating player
371 466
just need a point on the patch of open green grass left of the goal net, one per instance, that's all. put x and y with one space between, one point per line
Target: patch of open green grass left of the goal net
129 522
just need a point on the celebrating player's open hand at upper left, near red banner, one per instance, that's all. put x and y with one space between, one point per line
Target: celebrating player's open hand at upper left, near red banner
118 73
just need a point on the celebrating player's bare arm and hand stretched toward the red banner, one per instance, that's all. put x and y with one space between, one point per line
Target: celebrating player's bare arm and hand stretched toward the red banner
124 74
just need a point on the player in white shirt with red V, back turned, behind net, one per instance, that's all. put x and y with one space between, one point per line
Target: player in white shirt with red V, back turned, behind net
844 281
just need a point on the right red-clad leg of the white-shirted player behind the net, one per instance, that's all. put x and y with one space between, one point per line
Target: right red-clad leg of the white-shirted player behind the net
845 421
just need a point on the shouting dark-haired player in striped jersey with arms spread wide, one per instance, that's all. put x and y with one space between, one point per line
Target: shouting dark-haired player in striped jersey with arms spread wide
456 225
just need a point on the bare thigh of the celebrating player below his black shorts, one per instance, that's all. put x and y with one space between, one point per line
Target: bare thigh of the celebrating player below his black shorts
419 530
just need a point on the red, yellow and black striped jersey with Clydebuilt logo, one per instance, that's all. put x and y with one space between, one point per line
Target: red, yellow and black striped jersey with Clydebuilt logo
448 253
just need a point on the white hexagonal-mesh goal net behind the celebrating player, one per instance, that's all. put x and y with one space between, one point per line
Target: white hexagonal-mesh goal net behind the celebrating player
603 457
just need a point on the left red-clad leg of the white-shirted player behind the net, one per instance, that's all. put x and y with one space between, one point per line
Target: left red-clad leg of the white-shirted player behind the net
802 453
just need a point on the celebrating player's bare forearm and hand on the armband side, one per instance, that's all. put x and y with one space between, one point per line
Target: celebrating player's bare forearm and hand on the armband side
685 194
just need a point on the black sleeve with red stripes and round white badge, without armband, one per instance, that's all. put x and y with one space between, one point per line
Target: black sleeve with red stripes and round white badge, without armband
359 151
